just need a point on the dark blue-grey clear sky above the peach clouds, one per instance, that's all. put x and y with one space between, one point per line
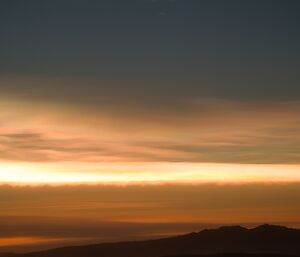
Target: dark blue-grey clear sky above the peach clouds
171 48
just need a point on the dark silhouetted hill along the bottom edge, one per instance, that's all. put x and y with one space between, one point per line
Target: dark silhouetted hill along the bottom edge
233 239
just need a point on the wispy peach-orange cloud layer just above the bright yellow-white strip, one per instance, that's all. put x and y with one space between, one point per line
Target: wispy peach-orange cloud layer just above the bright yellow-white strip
34 128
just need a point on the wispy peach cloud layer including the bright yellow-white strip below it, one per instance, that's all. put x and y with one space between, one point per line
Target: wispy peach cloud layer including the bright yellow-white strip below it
49 136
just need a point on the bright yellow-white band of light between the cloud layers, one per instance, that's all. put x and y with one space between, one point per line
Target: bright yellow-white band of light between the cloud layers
136 173
